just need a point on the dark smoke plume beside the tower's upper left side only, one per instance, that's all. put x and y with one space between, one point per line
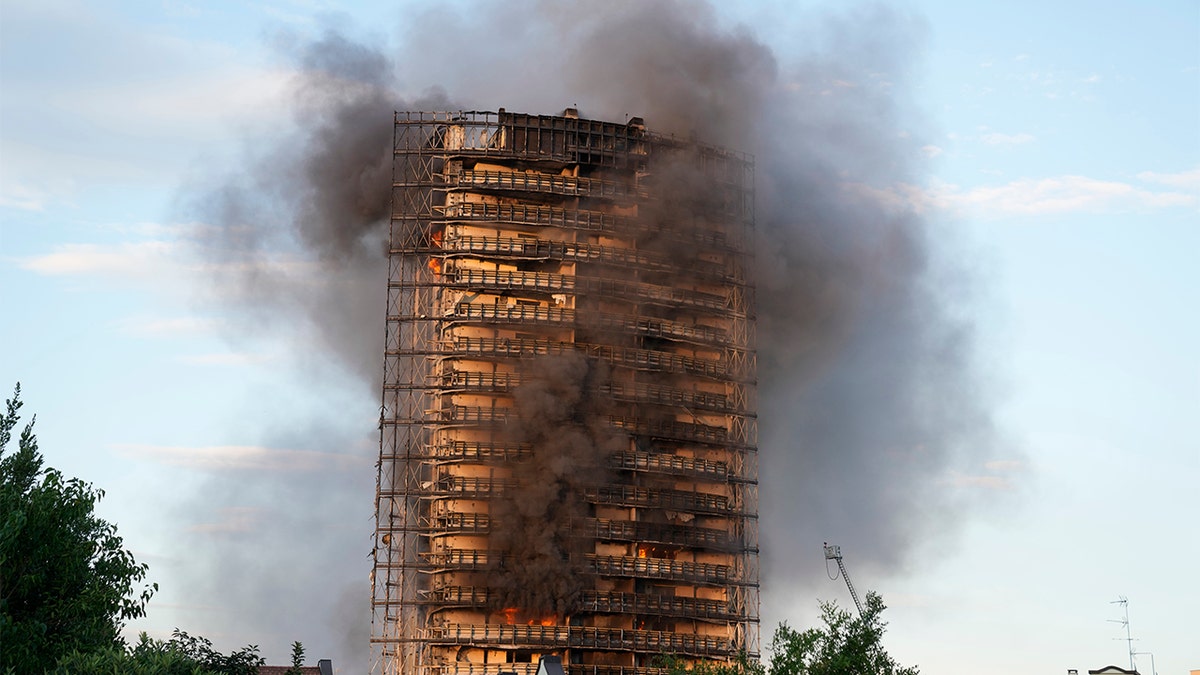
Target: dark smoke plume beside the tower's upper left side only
301 232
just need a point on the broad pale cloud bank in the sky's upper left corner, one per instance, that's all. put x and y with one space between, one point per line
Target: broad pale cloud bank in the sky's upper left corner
125 107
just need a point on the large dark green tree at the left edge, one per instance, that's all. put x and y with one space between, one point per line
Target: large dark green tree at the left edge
67 582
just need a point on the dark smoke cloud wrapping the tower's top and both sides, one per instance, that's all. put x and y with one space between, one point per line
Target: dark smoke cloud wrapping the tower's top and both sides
868 399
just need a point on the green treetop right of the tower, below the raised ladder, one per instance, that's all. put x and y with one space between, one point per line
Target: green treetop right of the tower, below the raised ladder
847 646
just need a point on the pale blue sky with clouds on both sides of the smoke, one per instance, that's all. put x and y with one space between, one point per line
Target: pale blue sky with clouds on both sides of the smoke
1061 165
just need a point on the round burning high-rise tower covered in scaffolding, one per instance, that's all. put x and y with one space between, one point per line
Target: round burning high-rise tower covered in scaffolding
568 438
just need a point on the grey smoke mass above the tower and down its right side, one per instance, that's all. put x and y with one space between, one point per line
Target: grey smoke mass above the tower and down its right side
868 399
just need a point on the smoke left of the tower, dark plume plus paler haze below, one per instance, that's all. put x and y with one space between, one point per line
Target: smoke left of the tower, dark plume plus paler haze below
297 243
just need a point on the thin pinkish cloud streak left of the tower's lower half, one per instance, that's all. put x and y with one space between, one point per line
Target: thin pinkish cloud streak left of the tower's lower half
241 458
